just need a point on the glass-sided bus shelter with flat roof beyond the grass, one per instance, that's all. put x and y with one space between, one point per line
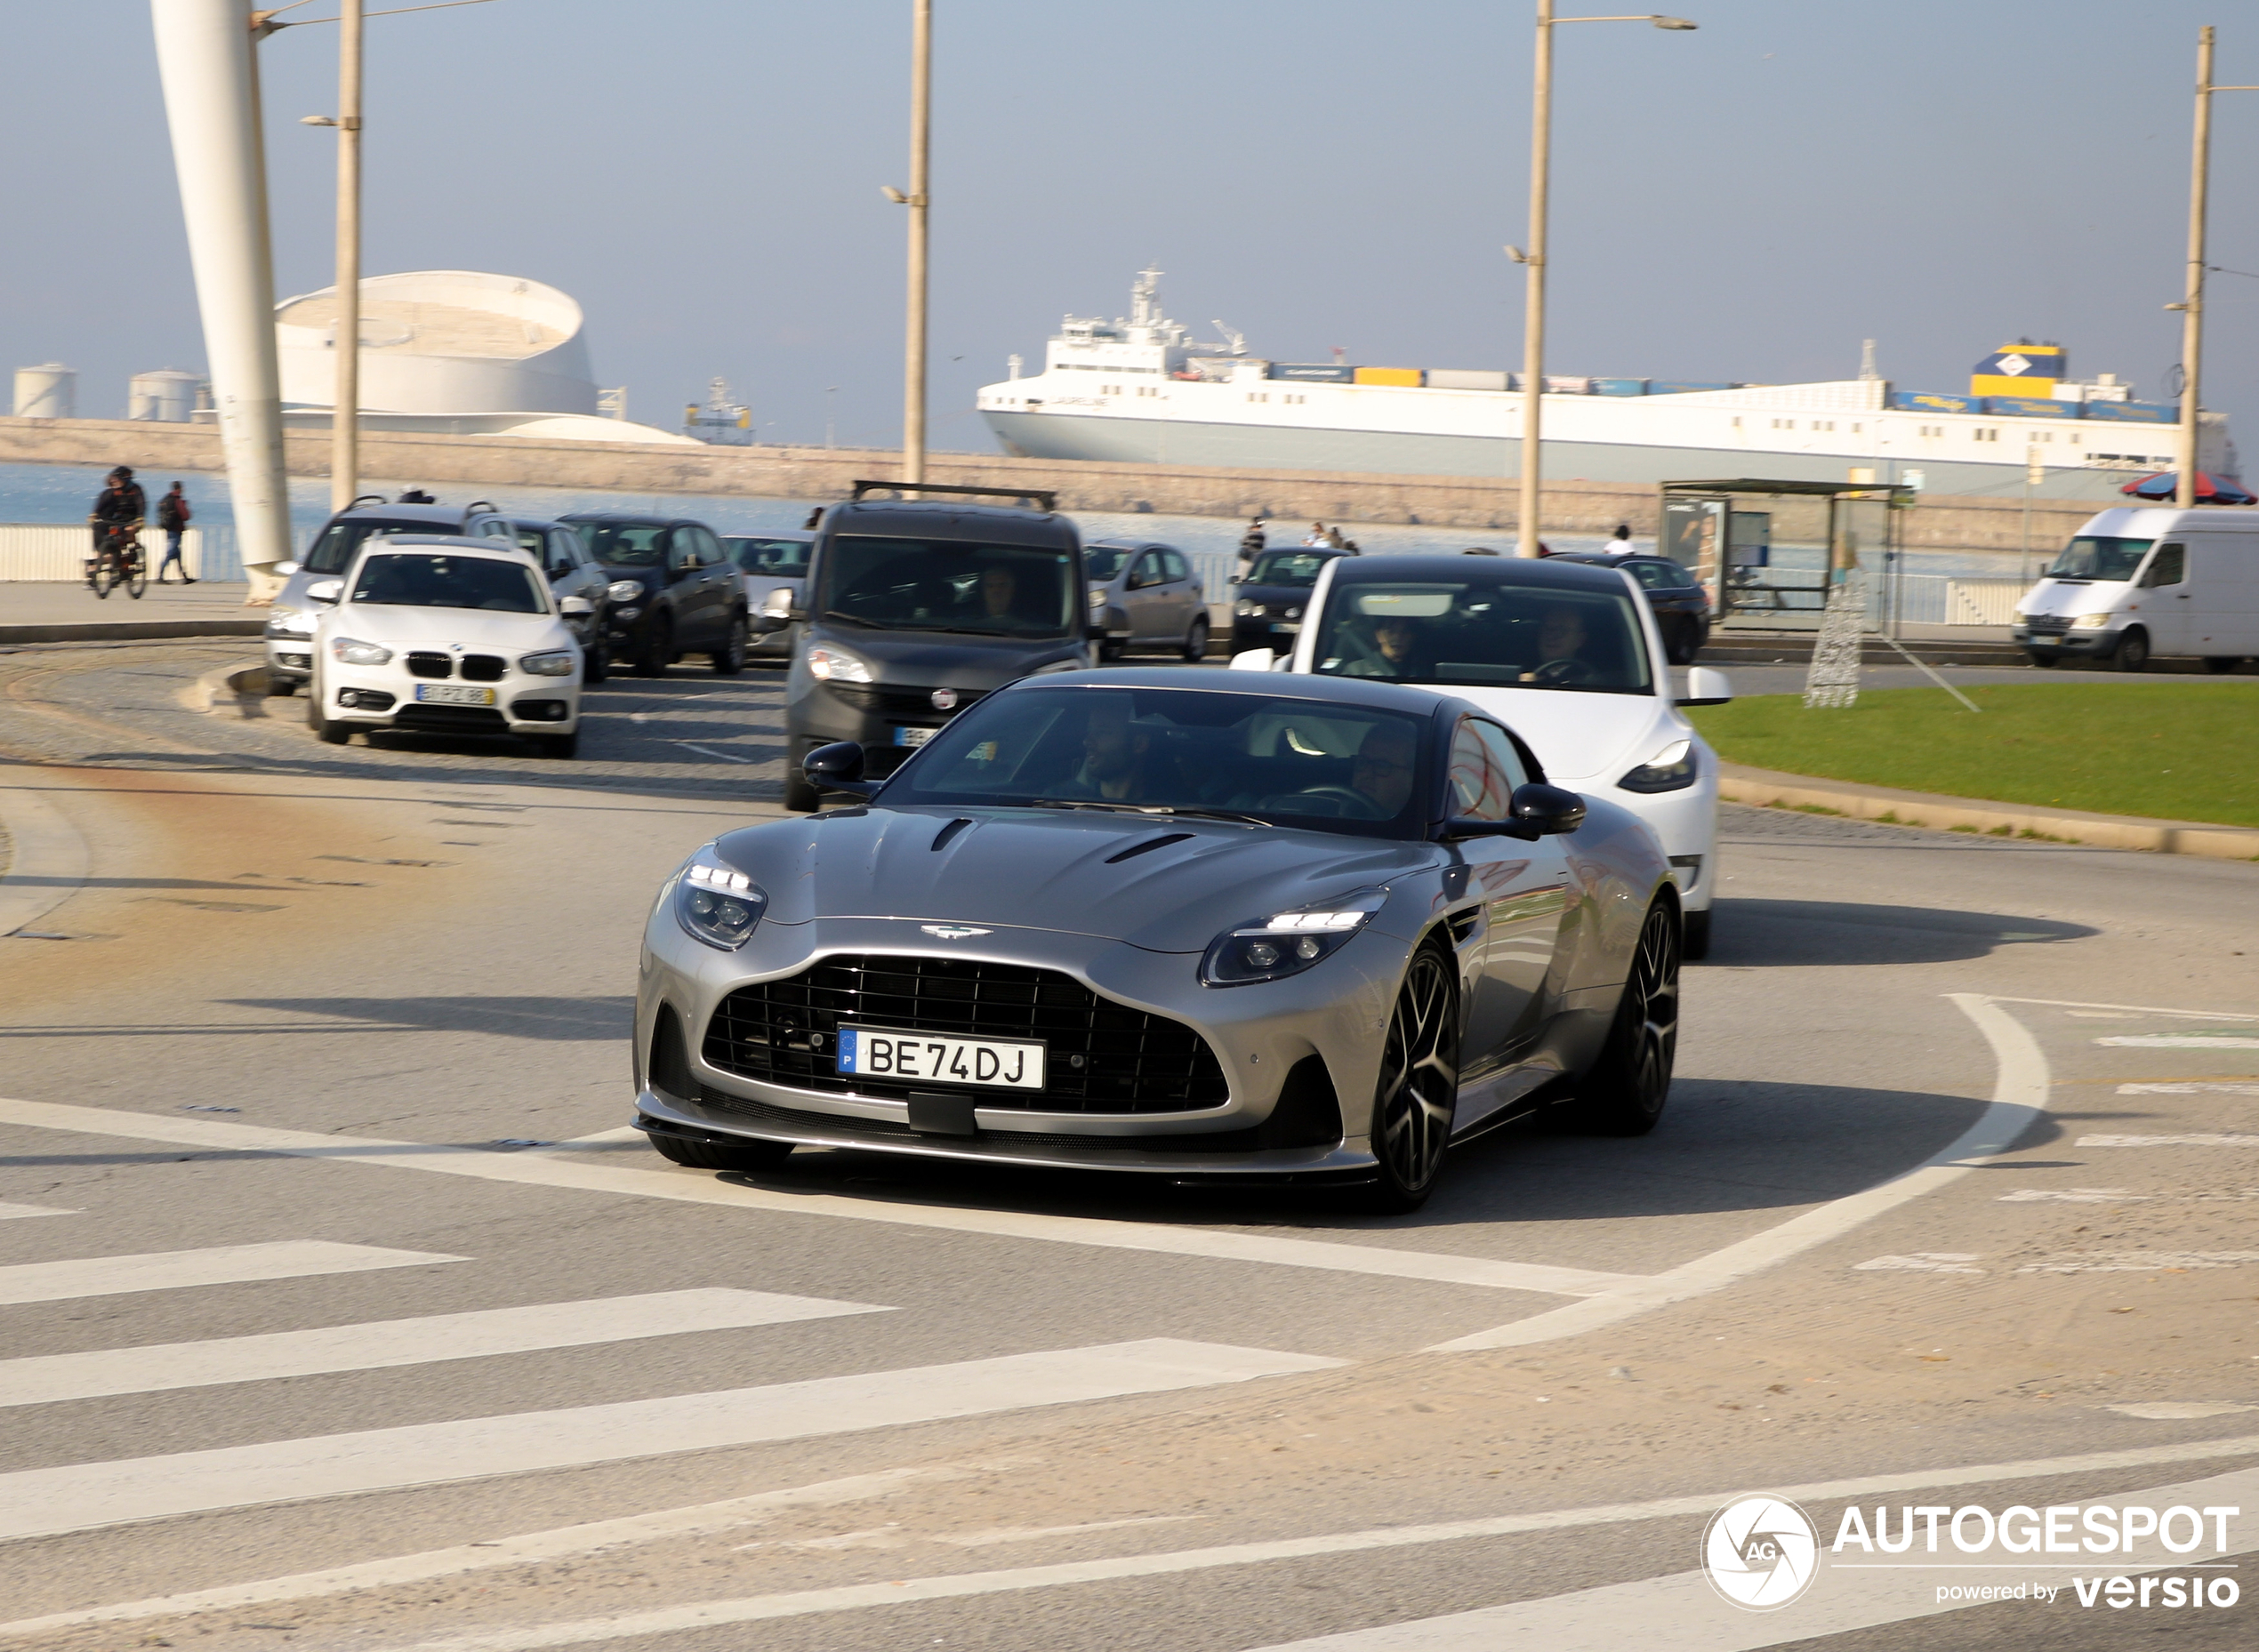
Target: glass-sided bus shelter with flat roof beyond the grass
1770 553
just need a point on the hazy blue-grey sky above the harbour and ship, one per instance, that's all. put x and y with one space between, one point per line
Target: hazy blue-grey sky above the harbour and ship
1747 202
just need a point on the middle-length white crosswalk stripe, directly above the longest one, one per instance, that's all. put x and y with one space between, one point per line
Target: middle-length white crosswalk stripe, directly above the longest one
387 1344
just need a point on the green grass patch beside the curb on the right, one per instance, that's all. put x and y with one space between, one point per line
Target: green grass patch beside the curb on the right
2161 749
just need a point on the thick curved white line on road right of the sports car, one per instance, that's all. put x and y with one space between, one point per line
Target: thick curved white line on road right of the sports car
2021 1093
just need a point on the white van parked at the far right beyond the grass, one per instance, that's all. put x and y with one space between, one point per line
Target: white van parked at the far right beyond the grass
2143 584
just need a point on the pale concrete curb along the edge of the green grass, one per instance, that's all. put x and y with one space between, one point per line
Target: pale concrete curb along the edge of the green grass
1939 812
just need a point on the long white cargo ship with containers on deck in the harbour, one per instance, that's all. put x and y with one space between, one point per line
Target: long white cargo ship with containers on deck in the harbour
1142 390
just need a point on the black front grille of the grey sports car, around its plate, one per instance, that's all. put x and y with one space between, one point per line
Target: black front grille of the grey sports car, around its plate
1101 1057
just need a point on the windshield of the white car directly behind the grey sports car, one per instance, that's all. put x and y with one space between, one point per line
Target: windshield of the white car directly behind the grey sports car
1485 634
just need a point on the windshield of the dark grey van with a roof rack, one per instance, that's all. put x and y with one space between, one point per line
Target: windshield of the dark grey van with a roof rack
1004 591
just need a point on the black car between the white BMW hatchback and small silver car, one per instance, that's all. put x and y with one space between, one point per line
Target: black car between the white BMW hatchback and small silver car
674 591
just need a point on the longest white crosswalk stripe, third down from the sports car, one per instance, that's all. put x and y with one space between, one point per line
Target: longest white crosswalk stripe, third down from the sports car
87 1495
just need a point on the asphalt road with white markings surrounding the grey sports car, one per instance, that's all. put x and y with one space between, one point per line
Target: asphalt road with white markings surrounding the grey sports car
340 1312
